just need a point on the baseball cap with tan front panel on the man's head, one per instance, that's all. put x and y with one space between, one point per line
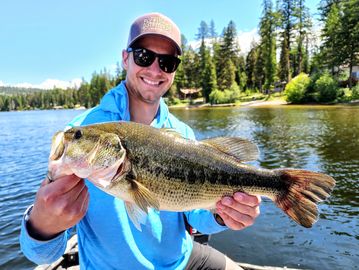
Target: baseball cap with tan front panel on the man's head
155 24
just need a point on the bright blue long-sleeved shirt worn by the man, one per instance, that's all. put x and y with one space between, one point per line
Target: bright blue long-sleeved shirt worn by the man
107 239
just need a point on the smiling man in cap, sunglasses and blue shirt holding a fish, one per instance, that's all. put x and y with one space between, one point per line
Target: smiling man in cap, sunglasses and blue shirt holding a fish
107 238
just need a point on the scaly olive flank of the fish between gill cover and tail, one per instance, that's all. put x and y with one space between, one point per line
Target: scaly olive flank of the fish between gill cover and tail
204 175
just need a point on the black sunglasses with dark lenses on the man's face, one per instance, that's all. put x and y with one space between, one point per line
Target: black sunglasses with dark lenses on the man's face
144 58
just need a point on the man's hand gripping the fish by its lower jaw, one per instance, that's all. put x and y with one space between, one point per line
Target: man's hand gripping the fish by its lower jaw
59 205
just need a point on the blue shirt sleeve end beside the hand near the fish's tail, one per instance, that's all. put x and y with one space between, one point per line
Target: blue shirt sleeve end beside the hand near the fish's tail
204 221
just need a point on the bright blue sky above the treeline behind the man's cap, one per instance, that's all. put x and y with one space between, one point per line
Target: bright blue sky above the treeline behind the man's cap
43 43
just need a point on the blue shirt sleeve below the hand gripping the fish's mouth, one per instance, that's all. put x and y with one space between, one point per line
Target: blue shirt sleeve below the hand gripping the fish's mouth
42 252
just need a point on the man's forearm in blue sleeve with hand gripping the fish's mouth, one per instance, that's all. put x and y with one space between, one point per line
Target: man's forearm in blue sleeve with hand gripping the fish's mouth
58 206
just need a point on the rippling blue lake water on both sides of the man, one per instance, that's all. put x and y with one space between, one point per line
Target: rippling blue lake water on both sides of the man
317 138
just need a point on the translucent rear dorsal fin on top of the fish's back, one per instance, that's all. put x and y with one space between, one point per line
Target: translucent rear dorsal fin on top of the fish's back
238 148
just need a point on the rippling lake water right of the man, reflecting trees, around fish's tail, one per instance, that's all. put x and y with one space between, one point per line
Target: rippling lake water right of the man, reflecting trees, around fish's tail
322 139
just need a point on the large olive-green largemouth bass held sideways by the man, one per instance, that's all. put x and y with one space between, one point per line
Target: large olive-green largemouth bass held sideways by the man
157 168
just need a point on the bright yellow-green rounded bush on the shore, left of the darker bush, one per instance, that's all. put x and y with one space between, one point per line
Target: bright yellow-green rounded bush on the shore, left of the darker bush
296 89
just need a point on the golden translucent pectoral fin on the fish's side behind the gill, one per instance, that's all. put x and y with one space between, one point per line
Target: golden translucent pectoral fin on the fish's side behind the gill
143 197
